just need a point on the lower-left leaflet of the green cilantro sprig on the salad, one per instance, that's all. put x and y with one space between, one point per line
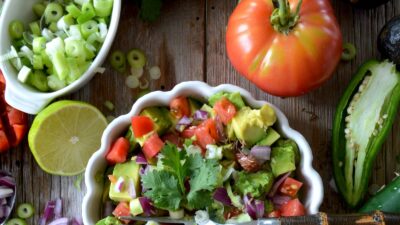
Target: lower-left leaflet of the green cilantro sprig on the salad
163 189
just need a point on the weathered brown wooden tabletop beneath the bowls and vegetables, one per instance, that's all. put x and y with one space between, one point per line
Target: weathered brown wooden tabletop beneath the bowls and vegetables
188 43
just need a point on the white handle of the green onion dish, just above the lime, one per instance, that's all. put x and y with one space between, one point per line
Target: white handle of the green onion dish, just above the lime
31 104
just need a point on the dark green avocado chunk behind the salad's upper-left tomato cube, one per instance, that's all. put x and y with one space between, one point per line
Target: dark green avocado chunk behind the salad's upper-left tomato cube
162 122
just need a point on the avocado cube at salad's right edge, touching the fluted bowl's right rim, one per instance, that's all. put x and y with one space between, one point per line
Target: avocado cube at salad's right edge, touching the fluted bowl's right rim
283 157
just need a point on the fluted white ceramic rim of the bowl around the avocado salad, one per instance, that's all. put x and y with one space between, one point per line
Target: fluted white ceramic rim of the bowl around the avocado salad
313 189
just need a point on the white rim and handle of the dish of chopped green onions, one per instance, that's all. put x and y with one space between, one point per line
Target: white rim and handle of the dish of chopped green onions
19 90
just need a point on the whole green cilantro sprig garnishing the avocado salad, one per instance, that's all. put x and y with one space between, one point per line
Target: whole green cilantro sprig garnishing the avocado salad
166 187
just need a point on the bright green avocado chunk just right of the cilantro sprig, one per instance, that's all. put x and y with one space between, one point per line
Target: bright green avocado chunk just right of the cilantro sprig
256 184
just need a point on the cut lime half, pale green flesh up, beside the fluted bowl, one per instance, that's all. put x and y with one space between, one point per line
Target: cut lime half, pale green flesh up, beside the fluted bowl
64 135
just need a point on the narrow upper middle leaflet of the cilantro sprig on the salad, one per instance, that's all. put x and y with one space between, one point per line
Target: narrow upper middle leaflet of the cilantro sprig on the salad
172 161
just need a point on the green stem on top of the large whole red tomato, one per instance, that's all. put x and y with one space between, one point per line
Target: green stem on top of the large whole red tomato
283 19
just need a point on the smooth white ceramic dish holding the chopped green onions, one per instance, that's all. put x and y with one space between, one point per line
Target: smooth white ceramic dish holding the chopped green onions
26 98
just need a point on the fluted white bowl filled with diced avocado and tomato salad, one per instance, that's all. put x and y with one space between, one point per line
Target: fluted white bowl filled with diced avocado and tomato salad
211 152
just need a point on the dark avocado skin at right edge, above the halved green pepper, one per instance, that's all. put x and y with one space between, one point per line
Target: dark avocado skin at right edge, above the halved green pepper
389 40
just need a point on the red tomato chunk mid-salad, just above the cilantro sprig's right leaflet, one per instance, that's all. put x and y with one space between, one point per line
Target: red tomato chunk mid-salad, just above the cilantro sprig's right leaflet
206 133
